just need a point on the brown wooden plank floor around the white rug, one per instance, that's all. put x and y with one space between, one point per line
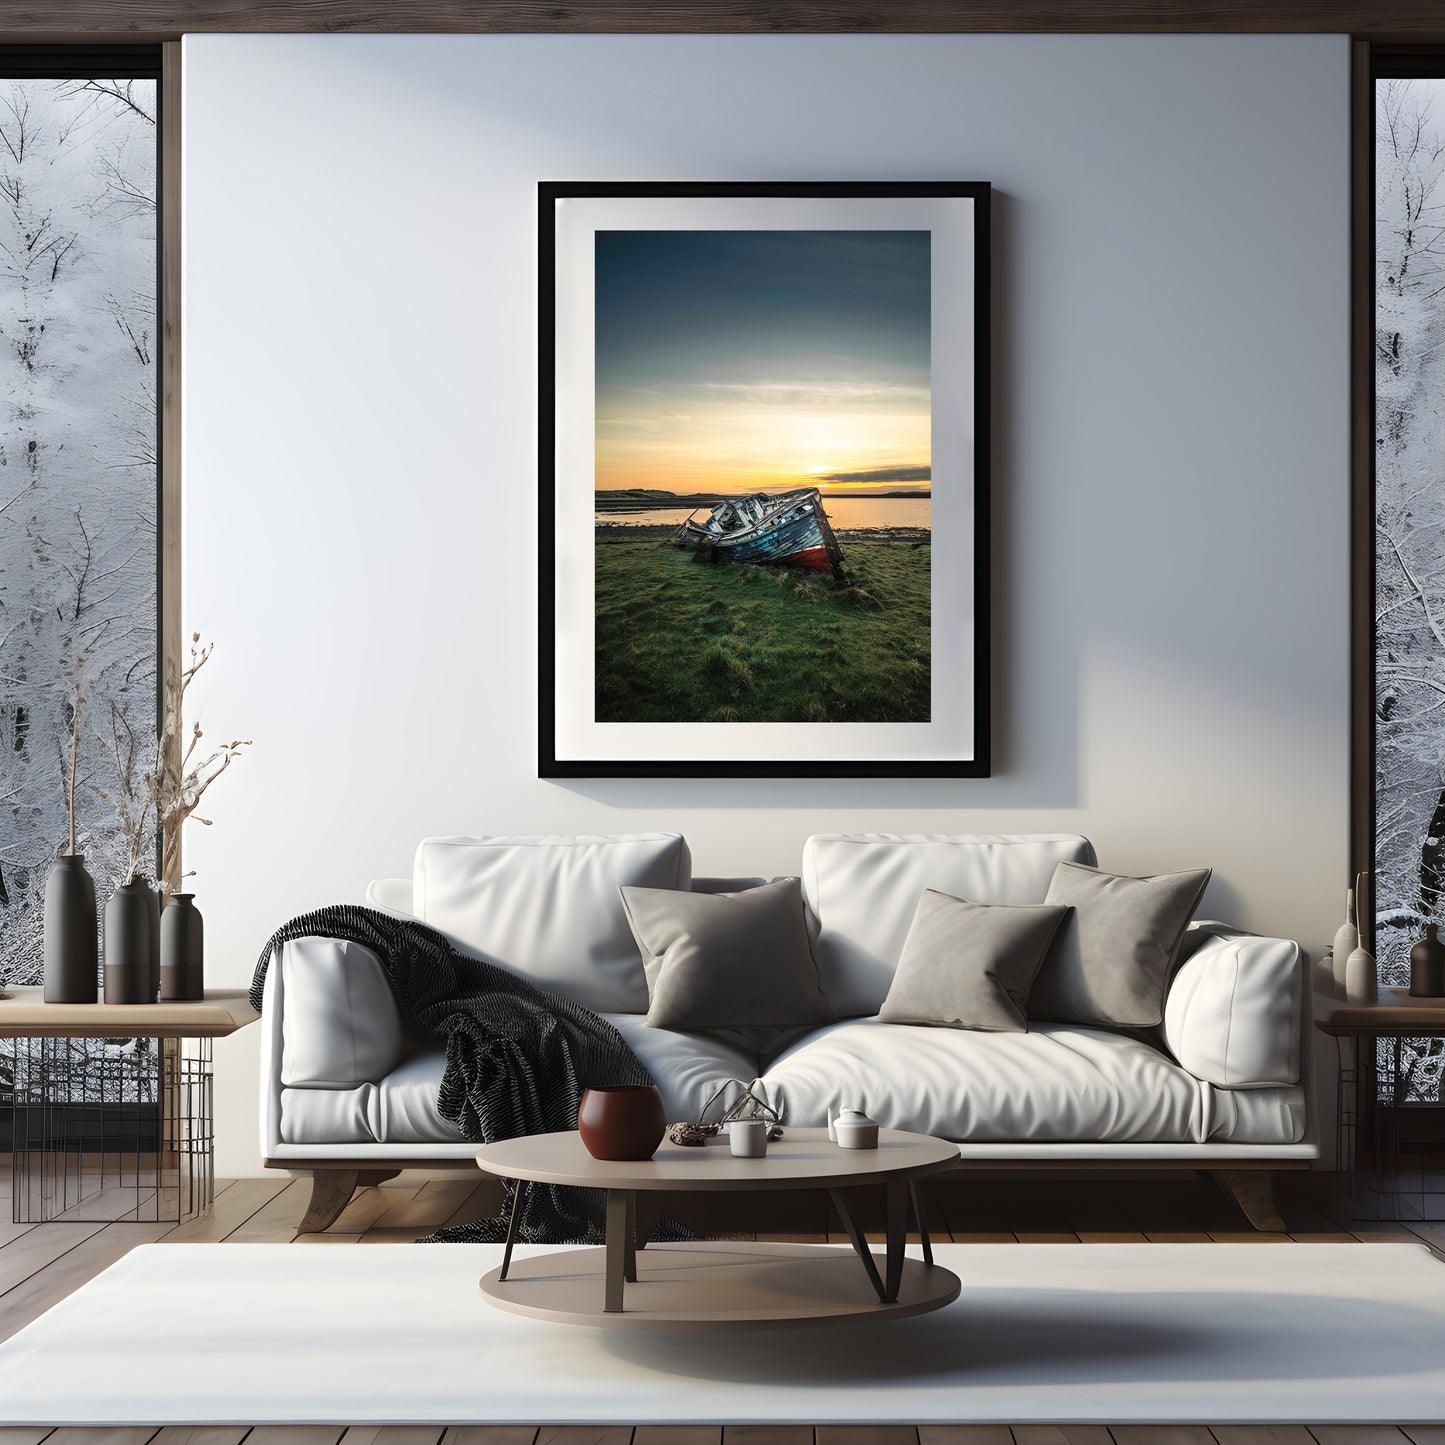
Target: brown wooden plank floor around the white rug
43 1264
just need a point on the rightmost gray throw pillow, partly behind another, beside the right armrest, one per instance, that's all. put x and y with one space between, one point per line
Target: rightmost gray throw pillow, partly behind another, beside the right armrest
1115 956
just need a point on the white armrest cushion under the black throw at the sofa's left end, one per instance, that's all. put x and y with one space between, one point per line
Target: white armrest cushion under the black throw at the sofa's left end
340 1025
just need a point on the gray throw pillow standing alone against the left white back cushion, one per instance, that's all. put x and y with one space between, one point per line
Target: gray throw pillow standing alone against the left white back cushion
728 960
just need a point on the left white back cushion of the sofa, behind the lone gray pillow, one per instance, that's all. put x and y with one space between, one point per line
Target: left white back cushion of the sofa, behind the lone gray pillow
550 908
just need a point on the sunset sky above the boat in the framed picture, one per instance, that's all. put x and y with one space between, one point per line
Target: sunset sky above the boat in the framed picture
762 361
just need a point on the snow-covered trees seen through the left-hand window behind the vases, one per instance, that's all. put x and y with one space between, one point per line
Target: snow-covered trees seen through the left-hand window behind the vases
77 473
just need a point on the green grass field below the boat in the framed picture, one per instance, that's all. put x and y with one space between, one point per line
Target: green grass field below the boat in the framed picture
680 641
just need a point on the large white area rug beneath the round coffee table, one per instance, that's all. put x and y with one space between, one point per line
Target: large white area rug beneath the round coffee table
219 1334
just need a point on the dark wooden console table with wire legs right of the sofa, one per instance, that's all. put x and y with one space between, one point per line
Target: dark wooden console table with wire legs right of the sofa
1378 1097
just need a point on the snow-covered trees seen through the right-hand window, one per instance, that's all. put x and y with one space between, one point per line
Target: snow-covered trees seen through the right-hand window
1410 532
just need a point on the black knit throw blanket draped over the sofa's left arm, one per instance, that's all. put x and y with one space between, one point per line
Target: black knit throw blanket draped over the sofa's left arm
518 1060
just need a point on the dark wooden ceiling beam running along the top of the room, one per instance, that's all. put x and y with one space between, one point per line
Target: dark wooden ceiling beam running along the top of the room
57 21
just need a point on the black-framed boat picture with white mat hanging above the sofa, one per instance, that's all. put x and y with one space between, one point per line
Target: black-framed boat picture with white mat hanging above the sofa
764 524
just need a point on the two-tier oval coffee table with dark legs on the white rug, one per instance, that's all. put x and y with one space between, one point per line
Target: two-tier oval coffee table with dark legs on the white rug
725 1285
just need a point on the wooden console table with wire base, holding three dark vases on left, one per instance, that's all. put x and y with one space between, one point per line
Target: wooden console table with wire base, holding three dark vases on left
119 1134
